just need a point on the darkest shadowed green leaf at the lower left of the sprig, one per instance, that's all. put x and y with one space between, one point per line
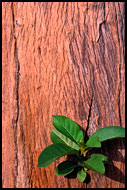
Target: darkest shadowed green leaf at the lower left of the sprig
65 168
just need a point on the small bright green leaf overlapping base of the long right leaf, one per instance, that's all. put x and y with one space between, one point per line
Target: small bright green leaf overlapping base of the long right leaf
93 142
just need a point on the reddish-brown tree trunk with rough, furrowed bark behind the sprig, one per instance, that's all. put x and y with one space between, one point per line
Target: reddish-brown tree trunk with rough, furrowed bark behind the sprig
60 58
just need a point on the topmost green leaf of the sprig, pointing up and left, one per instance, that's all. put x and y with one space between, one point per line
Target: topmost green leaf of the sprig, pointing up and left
68 128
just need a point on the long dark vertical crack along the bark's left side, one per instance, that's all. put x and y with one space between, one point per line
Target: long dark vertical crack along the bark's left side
15 119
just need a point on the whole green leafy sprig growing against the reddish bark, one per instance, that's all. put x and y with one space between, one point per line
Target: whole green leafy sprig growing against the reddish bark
68 139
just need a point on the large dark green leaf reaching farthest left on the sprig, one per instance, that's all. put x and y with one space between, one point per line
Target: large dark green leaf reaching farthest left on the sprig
52 153
